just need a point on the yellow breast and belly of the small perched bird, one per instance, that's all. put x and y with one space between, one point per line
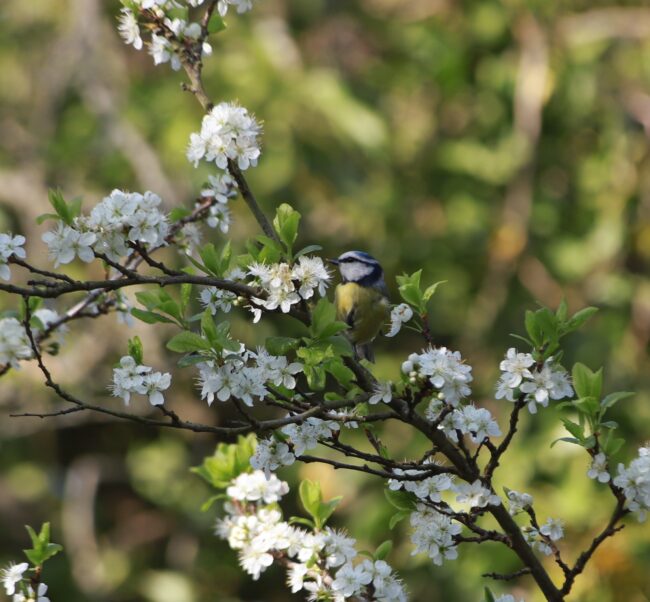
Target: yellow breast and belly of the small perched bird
365 310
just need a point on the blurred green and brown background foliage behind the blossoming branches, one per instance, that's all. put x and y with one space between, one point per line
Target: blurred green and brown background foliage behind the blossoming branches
501 146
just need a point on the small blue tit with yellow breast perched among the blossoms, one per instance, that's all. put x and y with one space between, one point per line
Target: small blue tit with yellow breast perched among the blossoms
361 299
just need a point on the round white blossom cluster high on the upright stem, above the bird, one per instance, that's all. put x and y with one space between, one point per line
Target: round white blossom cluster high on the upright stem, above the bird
228 132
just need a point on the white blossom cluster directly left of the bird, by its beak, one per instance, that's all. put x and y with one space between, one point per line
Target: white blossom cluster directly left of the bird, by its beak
285 285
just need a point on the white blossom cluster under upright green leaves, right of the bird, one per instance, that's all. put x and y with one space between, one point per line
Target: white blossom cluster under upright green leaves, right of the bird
521 374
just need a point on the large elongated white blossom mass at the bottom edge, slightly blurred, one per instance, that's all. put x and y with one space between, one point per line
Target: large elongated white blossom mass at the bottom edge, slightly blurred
324 563
